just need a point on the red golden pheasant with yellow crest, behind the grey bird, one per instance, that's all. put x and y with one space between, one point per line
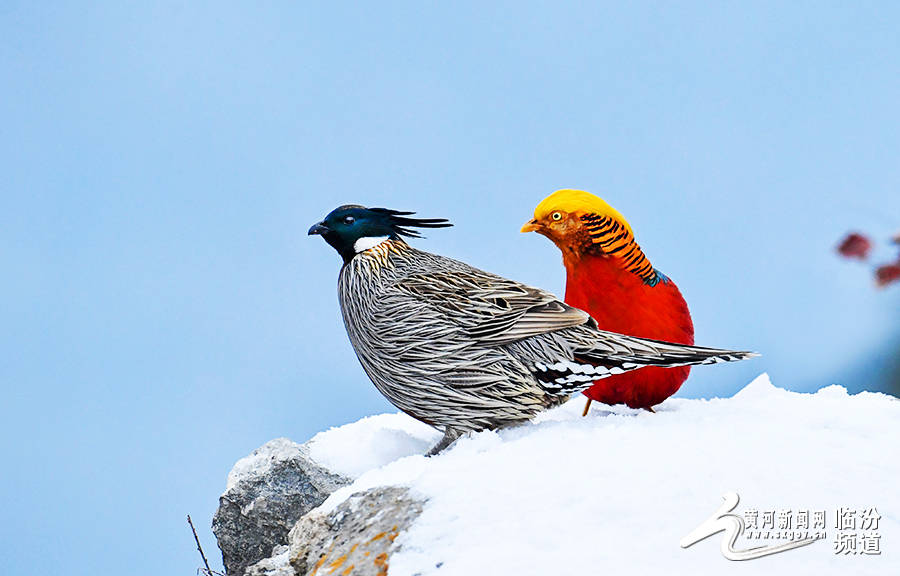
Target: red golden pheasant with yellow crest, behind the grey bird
609 277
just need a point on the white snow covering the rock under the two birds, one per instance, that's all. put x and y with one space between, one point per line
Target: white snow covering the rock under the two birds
615 492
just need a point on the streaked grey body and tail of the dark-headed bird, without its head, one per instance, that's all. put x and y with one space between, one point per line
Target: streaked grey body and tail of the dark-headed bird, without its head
463 350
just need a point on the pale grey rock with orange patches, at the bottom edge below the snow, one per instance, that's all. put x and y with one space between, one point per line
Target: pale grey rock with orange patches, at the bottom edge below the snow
357 537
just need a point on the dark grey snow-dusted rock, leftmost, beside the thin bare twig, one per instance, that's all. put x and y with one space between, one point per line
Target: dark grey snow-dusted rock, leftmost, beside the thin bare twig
267 493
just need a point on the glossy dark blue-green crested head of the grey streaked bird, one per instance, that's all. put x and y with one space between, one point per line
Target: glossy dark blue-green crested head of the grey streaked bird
351 229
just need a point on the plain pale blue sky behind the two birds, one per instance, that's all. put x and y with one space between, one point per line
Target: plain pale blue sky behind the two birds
165 313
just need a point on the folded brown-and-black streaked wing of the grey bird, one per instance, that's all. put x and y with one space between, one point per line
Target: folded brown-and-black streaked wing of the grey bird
492 309
